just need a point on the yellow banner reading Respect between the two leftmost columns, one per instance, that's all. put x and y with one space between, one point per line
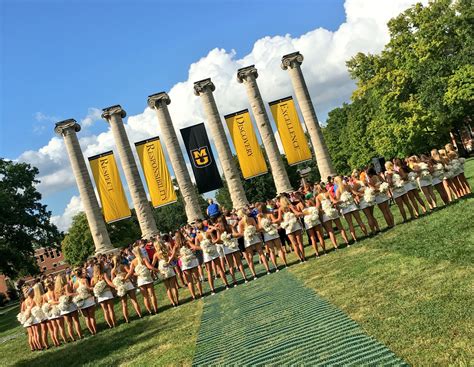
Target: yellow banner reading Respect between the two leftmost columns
108 183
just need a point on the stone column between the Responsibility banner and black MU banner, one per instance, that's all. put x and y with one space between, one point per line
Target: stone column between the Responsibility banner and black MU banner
159 102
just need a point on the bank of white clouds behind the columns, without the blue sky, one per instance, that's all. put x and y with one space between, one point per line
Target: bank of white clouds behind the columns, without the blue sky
324 69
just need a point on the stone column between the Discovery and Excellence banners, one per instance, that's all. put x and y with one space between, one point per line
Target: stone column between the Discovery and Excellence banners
248 76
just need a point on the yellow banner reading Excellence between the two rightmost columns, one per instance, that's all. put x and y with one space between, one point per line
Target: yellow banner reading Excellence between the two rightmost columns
290 130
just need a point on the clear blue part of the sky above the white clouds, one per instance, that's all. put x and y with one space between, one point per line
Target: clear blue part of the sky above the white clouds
62 57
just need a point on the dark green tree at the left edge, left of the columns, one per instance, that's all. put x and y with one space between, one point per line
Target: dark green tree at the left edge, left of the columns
25 223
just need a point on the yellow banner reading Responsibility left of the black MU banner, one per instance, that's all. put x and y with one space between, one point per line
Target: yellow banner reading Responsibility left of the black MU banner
156 172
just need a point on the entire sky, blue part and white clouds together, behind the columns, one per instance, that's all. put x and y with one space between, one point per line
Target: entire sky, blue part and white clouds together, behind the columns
63 59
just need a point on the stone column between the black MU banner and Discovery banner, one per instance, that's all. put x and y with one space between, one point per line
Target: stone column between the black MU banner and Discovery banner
204 88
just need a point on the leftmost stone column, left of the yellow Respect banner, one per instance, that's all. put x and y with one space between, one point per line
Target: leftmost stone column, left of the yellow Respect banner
68 129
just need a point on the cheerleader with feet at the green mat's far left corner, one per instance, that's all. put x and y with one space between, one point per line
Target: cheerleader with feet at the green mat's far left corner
189 262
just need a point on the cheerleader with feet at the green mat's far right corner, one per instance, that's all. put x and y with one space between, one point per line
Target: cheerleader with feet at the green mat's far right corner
268 224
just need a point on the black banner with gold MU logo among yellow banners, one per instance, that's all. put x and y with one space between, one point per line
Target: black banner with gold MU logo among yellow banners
201 157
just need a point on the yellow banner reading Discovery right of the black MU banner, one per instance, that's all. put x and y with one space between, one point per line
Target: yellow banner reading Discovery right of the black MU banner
250 156
